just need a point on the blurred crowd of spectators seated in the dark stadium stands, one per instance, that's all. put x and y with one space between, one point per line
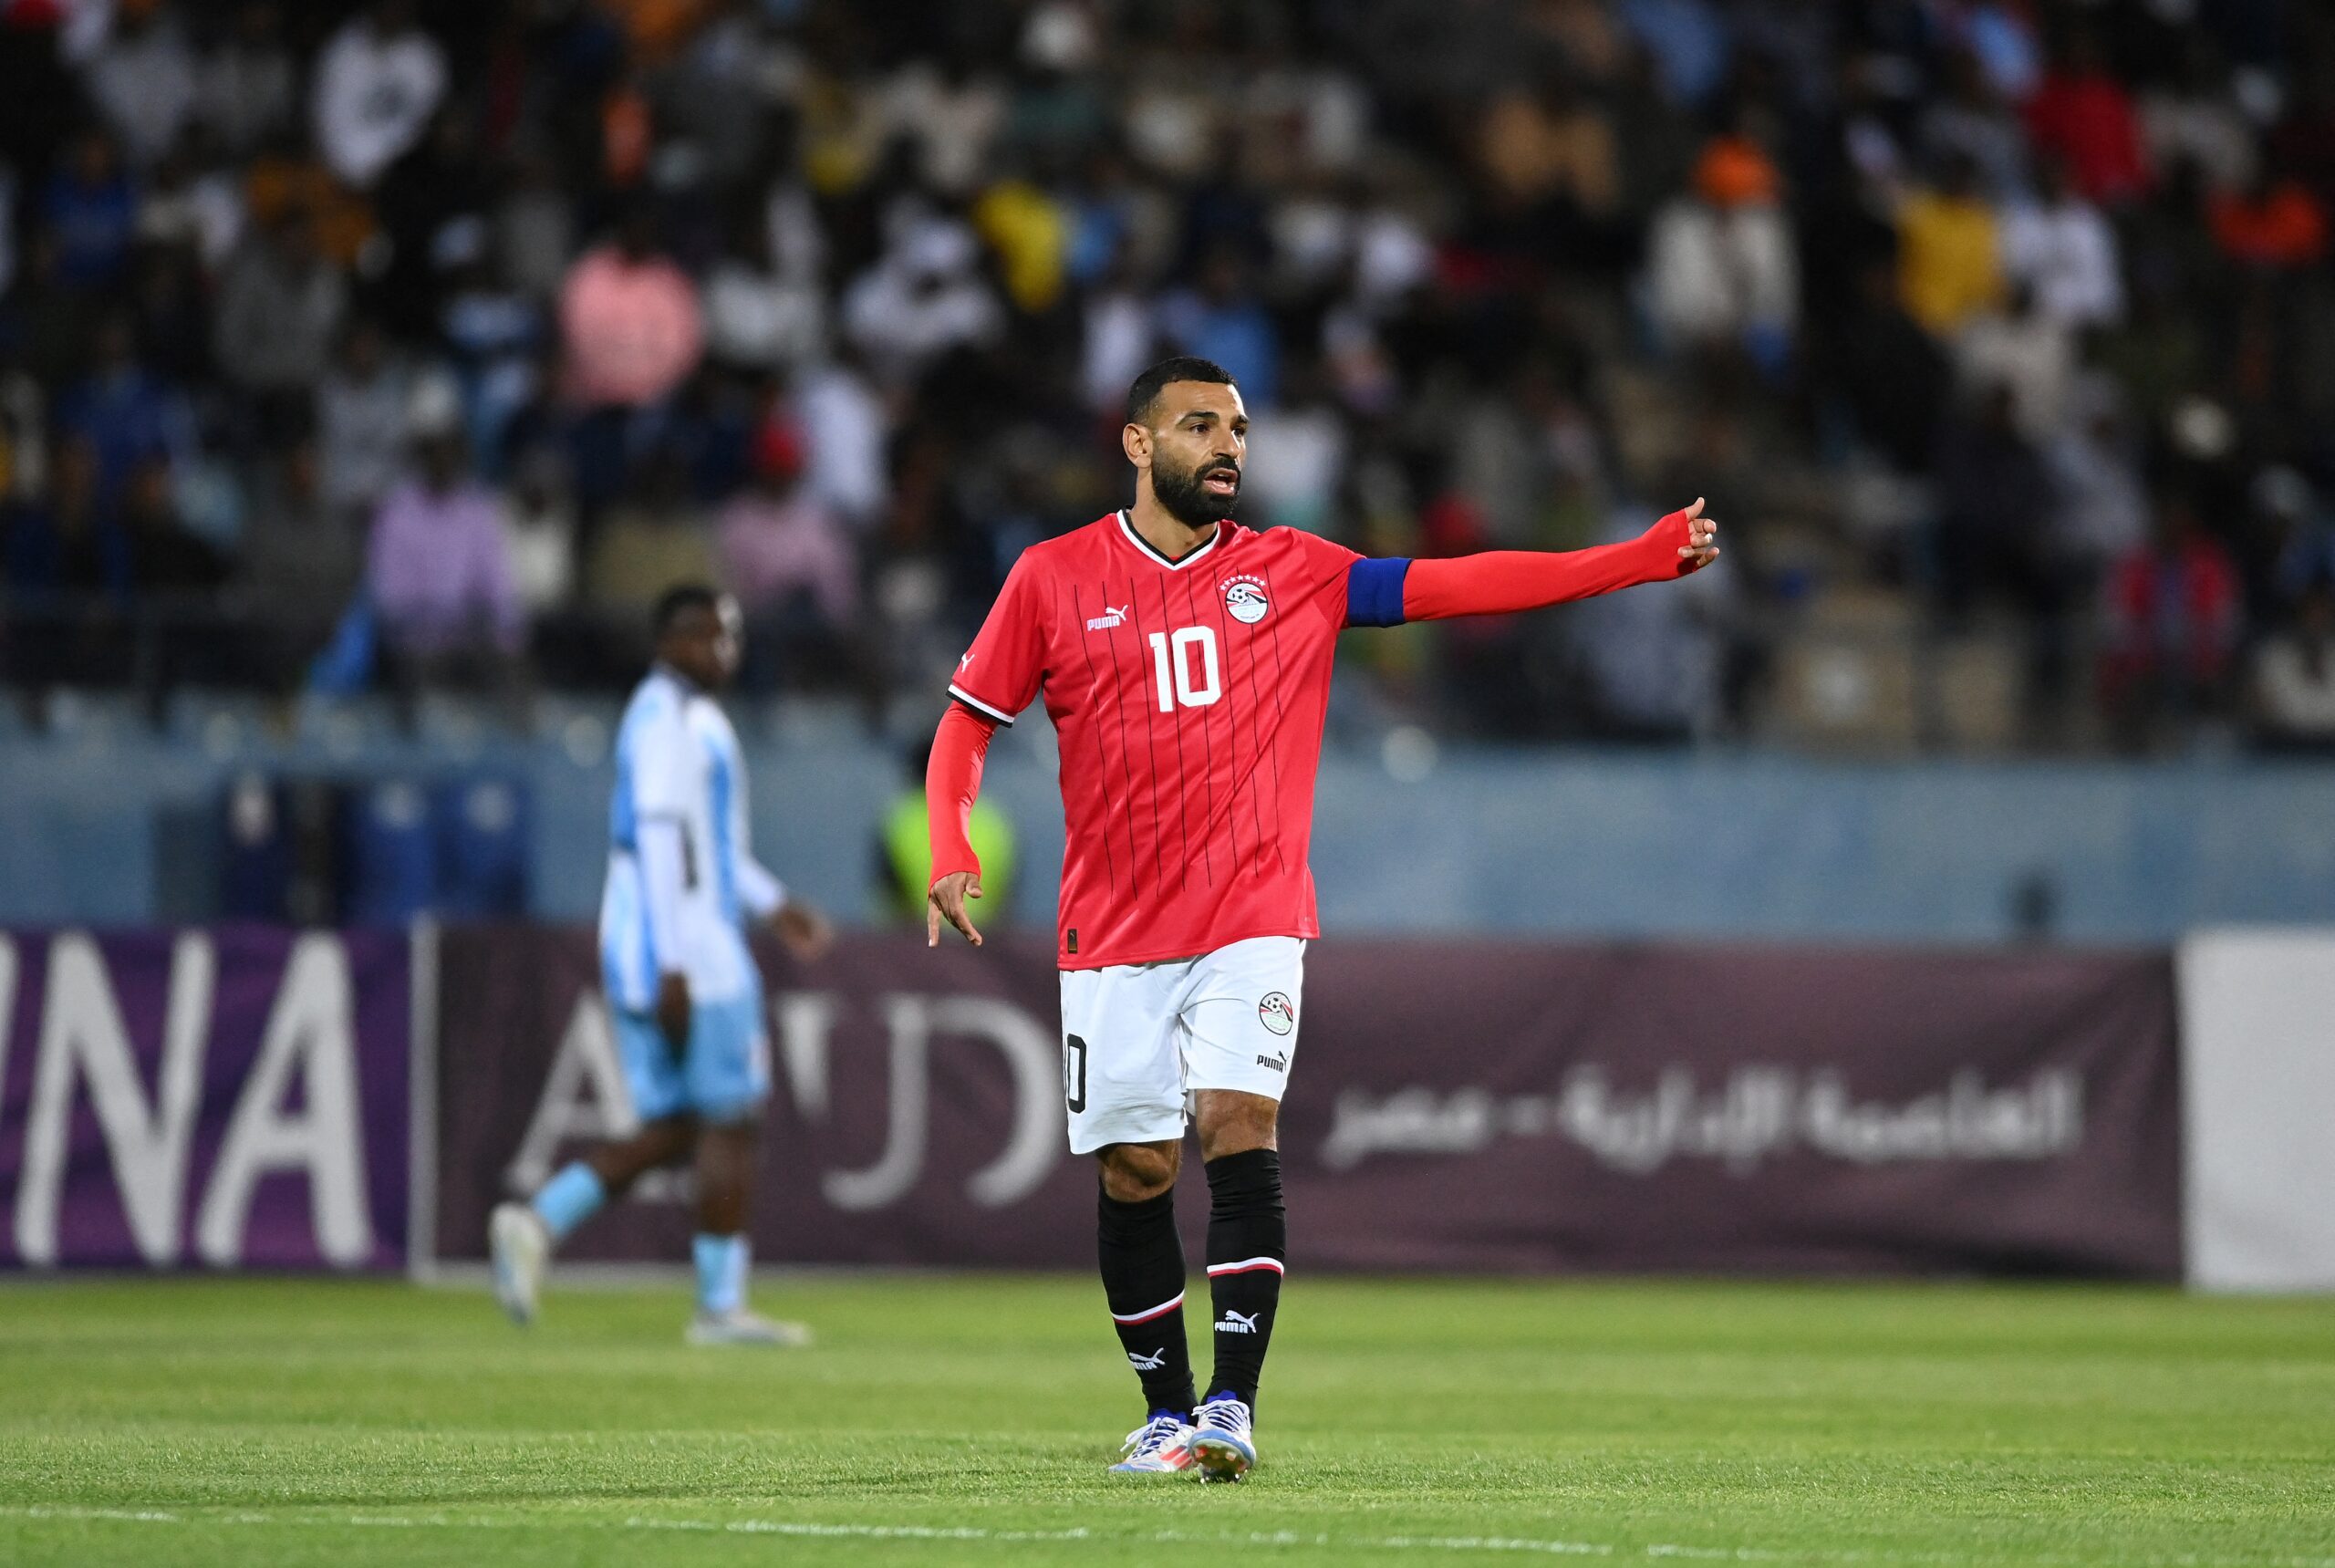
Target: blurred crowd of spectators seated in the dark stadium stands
419 345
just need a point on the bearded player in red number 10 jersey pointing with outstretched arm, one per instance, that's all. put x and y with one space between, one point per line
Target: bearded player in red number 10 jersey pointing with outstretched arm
1185 662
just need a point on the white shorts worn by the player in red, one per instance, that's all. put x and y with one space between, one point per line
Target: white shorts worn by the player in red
1143 1039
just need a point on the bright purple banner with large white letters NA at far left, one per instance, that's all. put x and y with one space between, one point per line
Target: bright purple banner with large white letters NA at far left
230 1099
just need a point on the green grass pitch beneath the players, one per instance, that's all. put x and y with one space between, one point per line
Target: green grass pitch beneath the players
970 1422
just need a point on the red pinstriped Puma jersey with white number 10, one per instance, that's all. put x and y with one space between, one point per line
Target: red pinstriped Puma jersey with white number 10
1187 700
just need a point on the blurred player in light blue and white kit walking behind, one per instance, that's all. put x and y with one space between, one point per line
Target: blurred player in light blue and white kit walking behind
683 884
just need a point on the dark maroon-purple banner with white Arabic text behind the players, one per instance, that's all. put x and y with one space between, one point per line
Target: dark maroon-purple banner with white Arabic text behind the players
1482 1106
